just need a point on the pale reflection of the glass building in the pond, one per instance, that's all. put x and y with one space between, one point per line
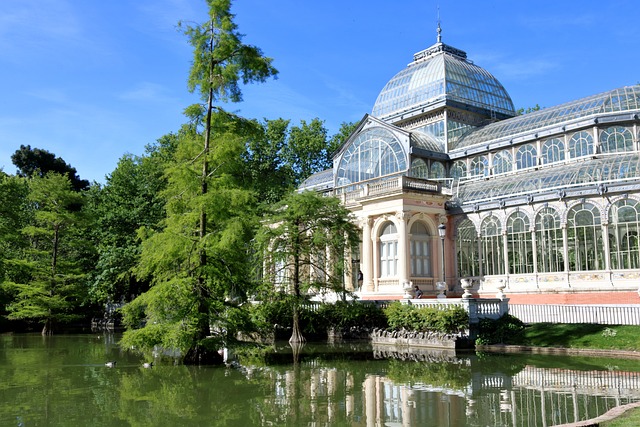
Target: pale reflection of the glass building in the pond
531 397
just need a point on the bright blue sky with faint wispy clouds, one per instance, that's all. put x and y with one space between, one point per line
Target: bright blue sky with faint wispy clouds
91 80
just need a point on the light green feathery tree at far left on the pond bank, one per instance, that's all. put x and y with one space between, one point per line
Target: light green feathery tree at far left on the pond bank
51 286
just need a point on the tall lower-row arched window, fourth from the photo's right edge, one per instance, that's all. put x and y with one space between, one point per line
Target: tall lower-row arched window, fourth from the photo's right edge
519 244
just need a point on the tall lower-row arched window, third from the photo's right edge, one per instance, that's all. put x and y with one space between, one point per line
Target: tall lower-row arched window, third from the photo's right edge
549 243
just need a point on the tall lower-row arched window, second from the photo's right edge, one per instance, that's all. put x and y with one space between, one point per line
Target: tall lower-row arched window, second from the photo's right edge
584 238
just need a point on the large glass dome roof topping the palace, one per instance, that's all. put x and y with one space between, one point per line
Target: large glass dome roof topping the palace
440 74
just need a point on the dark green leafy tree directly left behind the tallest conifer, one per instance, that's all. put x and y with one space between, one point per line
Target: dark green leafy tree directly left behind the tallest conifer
130 199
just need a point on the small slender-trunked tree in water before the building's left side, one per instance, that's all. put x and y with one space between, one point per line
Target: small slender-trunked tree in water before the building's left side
306 240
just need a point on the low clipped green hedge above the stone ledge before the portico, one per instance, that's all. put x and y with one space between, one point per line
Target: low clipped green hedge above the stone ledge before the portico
439 319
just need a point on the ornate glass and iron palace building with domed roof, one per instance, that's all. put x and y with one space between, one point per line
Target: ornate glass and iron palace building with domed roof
447 182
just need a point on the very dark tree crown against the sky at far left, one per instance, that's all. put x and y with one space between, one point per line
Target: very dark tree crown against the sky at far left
38 162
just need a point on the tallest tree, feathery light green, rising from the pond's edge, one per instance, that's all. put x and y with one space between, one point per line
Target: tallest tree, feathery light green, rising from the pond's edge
206 227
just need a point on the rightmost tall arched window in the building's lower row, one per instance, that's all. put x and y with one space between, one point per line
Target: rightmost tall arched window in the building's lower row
624 219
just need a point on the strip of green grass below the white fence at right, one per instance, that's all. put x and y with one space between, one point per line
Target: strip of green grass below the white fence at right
582 336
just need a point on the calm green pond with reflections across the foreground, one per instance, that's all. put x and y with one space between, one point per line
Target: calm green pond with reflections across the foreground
63 381
